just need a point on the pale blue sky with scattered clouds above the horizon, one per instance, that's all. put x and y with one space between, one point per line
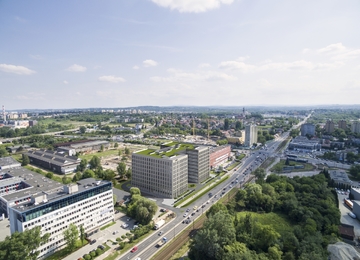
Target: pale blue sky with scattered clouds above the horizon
125 53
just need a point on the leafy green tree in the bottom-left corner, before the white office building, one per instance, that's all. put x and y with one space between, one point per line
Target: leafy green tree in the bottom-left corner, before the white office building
23 245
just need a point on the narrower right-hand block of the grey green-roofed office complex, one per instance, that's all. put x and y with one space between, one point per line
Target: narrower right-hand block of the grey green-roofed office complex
198 164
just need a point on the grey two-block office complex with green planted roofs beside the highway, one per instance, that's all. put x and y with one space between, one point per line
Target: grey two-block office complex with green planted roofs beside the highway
166 172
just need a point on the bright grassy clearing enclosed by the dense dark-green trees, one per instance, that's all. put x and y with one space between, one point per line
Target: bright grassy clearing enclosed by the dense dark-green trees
278 221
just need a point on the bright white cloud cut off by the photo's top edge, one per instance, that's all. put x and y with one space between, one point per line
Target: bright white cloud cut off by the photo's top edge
192 6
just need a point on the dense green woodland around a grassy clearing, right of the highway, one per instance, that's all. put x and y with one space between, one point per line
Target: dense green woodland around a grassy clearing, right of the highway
280 218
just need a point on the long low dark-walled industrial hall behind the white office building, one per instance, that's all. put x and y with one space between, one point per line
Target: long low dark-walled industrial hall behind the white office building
58 162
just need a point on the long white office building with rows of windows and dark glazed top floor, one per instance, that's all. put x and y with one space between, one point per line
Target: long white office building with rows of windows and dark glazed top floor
89 203
